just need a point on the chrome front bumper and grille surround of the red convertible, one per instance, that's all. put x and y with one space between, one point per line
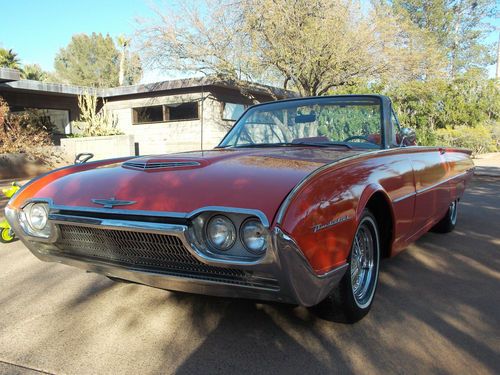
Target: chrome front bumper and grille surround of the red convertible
284 262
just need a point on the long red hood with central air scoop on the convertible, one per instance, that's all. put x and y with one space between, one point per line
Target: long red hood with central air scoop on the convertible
246 178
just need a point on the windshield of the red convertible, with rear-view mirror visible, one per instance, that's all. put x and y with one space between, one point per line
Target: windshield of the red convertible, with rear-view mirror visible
344 121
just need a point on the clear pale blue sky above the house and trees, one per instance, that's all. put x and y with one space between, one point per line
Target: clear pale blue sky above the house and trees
37 29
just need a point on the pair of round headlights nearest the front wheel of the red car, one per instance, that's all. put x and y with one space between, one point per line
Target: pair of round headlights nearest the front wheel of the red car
221 234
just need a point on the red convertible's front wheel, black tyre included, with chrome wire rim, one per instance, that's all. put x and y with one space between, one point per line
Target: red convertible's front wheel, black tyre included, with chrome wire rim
352 298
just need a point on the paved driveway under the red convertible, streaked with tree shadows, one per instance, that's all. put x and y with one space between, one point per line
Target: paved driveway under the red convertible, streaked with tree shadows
437 311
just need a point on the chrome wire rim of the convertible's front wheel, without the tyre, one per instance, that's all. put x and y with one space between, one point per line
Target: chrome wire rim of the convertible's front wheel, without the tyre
364 262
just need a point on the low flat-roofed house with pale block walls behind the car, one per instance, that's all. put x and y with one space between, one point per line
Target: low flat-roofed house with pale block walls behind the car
169 116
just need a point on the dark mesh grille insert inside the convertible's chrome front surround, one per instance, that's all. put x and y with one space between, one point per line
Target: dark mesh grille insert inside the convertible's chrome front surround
161 253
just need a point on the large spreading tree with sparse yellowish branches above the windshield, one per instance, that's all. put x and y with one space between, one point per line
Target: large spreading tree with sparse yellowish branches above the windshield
309 46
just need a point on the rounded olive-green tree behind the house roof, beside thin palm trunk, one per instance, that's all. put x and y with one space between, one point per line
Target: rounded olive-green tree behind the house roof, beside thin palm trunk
93 60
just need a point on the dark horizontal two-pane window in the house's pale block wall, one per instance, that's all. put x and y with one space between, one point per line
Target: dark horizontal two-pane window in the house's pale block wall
165 113
